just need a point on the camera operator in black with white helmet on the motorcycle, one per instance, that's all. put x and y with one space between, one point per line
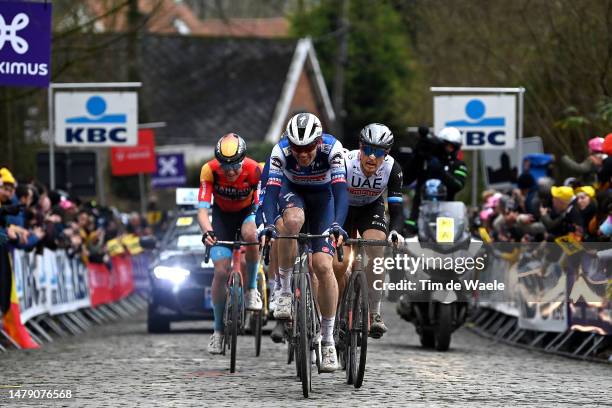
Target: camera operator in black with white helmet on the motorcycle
435 157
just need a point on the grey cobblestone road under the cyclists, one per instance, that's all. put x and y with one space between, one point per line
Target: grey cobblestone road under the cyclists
121 365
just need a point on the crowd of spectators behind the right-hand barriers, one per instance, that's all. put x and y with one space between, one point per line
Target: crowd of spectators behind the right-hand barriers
542 209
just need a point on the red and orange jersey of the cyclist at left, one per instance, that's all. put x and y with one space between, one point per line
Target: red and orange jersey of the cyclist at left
230 196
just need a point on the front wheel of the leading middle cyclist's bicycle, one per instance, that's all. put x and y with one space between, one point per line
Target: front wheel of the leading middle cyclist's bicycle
303 346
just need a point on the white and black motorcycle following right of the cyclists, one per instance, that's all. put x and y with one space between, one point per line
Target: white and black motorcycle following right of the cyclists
438 301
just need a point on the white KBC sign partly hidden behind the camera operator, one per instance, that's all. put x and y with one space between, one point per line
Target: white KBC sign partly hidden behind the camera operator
485 121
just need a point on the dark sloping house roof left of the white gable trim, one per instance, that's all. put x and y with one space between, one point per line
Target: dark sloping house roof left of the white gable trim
205 87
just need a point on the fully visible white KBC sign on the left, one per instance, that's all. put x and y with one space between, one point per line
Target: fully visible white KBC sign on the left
96 119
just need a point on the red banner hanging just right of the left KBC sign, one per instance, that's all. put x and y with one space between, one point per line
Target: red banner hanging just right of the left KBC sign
128 161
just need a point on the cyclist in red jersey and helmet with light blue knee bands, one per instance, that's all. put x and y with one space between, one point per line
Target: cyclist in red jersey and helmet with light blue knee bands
232 179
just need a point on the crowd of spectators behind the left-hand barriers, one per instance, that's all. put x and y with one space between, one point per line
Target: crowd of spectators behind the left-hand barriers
33 218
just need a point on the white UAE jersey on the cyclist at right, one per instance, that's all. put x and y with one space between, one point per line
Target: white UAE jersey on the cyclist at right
365 190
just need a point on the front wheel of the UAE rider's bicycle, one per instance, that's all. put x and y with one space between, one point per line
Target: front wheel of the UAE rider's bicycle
359 329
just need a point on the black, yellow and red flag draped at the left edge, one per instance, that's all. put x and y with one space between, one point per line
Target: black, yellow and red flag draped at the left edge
9 303
